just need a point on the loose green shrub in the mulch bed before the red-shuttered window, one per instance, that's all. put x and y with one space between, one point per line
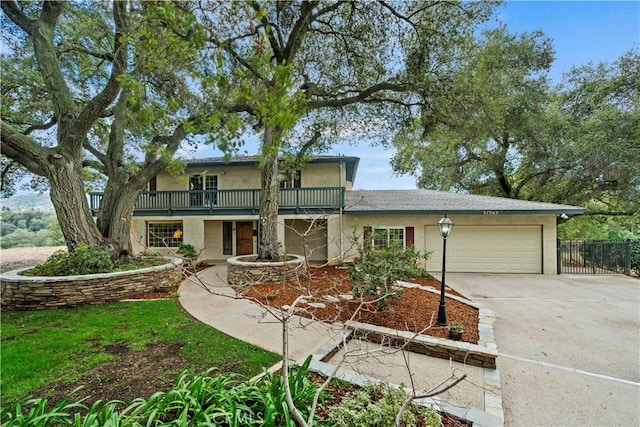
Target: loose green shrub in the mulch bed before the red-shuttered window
375 271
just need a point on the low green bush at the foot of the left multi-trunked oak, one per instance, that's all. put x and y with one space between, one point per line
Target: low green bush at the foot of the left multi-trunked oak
83 260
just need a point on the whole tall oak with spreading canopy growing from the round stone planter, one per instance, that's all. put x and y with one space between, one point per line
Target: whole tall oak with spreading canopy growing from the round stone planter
303 71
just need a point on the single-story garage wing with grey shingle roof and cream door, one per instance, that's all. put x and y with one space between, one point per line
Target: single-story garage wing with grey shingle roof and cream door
490 234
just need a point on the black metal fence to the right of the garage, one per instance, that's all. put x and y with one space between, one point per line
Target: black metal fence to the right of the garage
594 257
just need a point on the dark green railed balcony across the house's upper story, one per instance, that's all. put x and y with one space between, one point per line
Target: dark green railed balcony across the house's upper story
226 202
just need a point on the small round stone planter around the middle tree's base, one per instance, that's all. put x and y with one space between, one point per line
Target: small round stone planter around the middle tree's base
245 270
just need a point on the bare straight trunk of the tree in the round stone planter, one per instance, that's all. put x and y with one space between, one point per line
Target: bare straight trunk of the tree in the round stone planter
270 199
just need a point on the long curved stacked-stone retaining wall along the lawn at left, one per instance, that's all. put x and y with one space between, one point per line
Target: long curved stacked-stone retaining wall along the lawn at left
40 293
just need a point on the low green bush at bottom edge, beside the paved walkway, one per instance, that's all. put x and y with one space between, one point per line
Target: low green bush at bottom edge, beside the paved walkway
378 405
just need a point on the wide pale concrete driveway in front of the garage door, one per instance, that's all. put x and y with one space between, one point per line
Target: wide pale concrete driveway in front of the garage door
569 346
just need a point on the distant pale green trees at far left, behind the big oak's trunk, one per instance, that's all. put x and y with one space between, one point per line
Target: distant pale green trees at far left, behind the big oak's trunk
29 228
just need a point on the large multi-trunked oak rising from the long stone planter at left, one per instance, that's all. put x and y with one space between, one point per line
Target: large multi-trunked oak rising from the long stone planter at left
97 87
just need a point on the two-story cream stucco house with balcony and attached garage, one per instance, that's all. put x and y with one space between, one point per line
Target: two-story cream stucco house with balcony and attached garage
215 208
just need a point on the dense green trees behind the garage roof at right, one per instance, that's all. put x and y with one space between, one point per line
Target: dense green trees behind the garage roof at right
500 129
